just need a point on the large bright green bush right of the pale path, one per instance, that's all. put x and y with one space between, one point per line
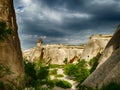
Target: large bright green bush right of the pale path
79 70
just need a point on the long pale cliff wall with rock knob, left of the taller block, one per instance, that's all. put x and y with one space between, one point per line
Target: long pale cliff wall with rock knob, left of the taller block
54 53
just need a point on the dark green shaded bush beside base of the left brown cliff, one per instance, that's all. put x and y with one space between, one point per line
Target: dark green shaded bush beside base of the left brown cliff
36 74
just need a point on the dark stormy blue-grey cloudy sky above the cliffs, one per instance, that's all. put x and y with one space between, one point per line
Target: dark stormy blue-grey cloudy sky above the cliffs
65 21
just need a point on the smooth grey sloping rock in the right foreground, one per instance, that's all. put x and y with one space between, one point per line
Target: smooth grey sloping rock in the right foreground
109 68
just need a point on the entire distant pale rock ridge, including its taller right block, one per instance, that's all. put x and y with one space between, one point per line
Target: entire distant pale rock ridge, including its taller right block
56 53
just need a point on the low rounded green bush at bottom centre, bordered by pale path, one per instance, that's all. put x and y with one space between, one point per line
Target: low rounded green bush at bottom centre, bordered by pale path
63 84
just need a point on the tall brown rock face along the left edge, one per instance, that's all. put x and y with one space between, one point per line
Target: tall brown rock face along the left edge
10 52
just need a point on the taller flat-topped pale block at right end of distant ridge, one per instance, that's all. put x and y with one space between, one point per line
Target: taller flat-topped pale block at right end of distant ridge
95 46
